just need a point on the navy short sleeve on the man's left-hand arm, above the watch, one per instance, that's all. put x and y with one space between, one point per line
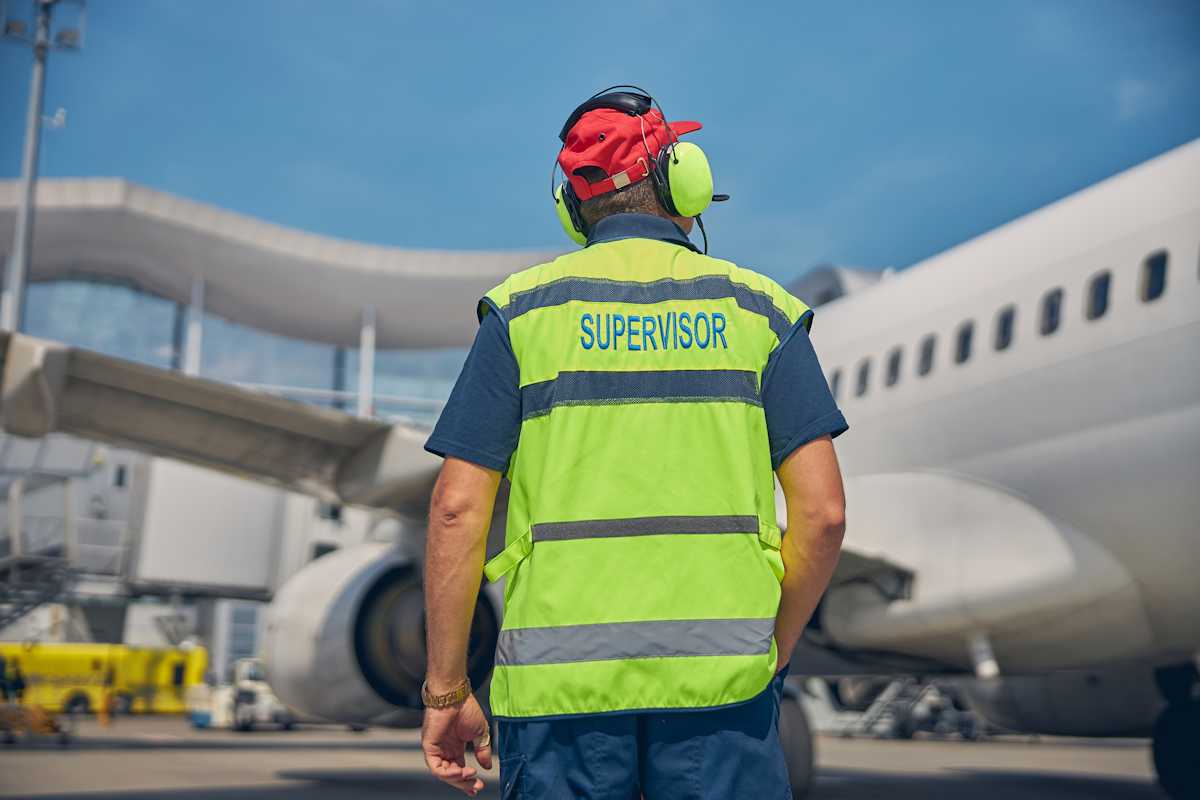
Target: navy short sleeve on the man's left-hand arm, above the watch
482 420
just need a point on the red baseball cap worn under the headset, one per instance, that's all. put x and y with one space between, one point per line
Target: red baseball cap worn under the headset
620 143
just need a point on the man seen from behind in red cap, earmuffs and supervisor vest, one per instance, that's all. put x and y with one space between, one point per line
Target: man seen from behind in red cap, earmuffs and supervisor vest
641 398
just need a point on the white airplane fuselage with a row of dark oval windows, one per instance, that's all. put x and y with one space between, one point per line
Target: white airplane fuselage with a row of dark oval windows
1085 405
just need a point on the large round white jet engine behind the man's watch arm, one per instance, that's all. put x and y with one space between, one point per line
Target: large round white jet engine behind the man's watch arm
346 636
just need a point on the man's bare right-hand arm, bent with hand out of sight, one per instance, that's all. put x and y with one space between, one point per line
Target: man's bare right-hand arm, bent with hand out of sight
817 521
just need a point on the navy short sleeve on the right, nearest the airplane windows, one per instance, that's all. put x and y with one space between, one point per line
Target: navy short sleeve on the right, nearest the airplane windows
796 396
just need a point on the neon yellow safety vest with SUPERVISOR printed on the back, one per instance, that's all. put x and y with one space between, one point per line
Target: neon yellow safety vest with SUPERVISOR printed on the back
641 556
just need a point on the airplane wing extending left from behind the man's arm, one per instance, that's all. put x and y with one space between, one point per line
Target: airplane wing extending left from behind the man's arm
49 387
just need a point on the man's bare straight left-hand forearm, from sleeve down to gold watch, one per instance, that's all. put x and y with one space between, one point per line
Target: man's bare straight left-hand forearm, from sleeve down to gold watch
460 515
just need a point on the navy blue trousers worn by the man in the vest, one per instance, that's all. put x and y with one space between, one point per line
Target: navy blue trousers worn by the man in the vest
718 754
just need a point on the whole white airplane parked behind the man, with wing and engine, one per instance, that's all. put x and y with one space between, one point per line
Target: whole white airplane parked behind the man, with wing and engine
1023 479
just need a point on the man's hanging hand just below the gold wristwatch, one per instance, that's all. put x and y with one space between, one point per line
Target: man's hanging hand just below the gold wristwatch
445 738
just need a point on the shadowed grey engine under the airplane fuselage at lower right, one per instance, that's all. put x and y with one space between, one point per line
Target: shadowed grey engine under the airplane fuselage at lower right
1114 702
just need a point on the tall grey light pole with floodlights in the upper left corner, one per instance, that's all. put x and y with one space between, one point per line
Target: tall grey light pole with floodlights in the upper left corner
69 39
